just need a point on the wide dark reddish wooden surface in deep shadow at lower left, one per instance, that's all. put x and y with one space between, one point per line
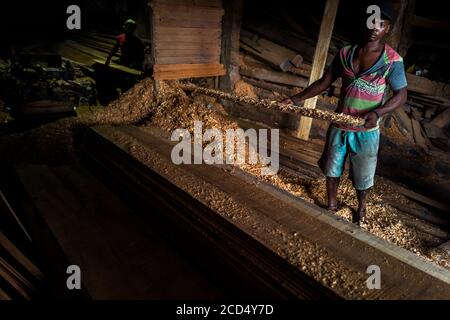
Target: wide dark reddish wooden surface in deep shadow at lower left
120 256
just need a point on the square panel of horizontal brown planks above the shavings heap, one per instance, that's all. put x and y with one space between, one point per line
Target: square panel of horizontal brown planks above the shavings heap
187 38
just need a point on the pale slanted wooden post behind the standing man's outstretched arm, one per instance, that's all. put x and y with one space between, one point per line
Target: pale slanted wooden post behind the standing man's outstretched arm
320 58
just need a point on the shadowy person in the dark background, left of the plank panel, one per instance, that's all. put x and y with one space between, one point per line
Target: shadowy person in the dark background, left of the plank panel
131 47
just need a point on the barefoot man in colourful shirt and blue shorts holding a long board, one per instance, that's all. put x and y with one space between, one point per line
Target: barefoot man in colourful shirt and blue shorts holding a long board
366 69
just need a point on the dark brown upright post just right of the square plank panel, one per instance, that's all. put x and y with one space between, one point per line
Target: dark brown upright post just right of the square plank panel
231 28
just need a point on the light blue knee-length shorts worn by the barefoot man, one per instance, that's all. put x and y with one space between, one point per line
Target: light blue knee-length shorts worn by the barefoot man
362 149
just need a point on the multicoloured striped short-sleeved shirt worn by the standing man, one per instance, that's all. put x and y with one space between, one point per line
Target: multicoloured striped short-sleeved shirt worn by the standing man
365 92
